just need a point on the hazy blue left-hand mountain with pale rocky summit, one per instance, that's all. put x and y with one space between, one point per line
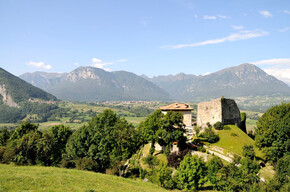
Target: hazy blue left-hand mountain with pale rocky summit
94 84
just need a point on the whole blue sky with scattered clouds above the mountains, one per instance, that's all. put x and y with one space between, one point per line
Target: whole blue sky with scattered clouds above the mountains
151 37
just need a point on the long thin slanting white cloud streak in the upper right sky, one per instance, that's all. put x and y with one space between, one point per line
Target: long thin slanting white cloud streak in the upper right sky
241 35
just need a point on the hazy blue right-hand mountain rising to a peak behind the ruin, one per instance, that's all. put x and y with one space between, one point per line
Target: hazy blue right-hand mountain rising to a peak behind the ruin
239 81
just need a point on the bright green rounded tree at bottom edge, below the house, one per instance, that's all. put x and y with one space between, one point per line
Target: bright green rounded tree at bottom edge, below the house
191 173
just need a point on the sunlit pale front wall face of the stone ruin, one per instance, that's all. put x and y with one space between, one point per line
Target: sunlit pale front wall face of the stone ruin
209 112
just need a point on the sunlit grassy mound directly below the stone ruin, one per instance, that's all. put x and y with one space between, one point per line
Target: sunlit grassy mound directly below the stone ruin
235 143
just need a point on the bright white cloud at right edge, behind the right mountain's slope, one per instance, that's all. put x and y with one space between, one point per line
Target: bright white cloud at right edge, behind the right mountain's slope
279 68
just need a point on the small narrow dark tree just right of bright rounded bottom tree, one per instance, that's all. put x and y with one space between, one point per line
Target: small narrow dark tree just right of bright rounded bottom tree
213 166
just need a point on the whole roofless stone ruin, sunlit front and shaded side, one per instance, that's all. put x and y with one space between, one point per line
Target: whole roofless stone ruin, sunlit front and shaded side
224 110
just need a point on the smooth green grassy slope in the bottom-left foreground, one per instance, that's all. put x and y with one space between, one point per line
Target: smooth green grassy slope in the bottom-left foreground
36 178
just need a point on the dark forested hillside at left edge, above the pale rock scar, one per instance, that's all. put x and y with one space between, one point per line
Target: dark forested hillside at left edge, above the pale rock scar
20 90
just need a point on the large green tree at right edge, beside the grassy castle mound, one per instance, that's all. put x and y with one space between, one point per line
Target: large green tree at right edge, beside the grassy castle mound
273 132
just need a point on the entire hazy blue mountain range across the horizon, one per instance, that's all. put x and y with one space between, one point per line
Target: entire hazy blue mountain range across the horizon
94 84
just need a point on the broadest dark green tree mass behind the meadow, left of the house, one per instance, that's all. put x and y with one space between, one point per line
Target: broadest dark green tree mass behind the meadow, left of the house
107 140
